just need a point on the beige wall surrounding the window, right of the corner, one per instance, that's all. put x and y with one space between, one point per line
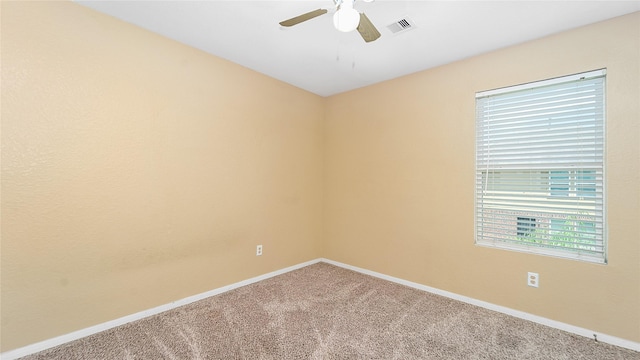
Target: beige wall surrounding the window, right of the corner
399 170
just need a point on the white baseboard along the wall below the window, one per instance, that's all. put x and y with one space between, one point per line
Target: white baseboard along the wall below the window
627 344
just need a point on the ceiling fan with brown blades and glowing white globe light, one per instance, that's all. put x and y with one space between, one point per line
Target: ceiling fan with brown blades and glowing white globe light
345 19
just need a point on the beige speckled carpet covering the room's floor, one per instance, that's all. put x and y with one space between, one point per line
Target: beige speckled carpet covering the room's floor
326 312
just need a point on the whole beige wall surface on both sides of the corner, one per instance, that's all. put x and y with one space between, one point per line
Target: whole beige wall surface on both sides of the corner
137 171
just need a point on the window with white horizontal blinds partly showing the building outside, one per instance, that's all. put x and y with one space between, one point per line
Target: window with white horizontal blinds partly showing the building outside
540 167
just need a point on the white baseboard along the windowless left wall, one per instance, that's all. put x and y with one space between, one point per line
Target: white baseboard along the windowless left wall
47 344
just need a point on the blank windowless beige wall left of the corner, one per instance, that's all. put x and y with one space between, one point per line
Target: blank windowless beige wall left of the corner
137 171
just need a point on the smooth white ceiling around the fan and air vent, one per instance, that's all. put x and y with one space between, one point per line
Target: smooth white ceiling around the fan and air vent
318 58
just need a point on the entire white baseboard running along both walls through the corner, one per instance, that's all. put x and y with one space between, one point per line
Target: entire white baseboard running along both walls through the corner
47 344
